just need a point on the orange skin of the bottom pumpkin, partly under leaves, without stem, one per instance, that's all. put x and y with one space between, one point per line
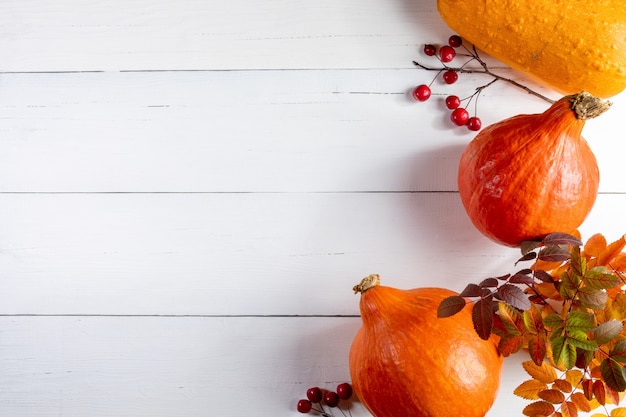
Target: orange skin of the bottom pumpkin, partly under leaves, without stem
406 362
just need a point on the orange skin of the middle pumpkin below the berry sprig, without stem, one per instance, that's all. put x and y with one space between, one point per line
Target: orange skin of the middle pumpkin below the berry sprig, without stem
528 176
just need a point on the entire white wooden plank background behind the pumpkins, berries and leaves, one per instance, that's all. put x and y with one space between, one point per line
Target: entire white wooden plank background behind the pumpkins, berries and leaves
189 190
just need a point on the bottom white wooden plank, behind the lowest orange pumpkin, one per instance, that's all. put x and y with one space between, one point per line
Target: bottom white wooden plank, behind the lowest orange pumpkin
156 366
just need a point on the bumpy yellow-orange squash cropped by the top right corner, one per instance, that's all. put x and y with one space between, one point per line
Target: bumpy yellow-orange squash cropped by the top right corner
570 46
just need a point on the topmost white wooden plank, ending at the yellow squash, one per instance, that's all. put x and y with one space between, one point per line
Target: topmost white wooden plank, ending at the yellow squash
73 35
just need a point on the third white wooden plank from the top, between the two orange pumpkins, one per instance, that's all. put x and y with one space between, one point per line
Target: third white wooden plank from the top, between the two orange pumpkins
294 254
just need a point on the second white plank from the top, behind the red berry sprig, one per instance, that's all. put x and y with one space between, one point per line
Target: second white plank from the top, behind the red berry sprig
248 131
